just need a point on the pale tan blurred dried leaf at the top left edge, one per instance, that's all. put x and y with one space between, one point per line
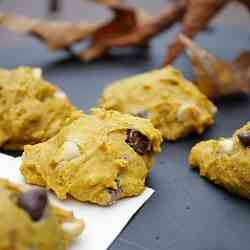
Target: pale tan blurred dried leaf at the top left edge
57 35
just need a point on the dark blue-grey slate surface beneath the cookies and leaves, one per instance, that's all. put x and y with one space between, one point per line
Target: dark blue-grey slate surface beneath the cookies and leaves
186 212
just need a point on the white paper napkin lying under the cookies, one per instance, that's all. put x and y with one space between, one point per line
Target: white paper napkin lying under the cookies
103 224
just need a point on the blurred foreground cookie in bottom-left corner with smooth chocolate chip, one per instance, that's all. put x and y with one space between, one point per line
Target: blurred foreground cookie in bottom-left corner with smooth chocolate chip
28 221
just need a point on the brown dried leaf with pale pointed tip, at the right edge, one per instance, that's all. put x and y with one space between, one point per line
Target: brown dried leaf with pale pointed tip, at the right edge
215 77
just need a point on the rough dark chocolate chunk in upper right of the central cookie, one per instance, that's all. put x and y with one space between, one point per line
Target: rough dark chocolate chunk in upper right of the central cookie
139 142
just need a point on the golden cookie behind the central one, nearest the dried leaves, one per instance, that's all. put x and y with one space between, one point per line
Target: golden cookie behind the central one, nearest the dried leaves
174 105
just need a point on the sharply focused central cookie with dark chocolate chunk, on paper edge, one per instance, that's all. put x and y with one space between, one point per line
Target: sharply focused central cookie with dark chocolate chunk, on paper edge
98 158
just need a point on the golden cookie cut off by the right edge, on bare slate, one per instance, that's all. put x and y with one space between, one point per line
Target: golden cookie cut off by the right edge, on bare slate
226 161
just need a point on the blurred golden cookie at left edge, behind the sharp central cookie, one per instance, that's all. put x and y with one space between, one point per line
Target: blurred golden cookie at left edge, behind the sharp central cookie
31 109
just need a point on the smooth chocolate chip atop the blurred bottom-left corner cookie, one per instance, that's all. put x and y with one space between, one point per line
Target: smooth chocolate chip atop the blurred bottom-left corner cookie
33 202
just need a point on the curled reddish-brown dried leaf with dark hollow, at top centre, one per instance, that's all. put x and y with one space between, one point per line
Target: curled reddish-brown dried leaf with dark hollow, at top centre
130 27
